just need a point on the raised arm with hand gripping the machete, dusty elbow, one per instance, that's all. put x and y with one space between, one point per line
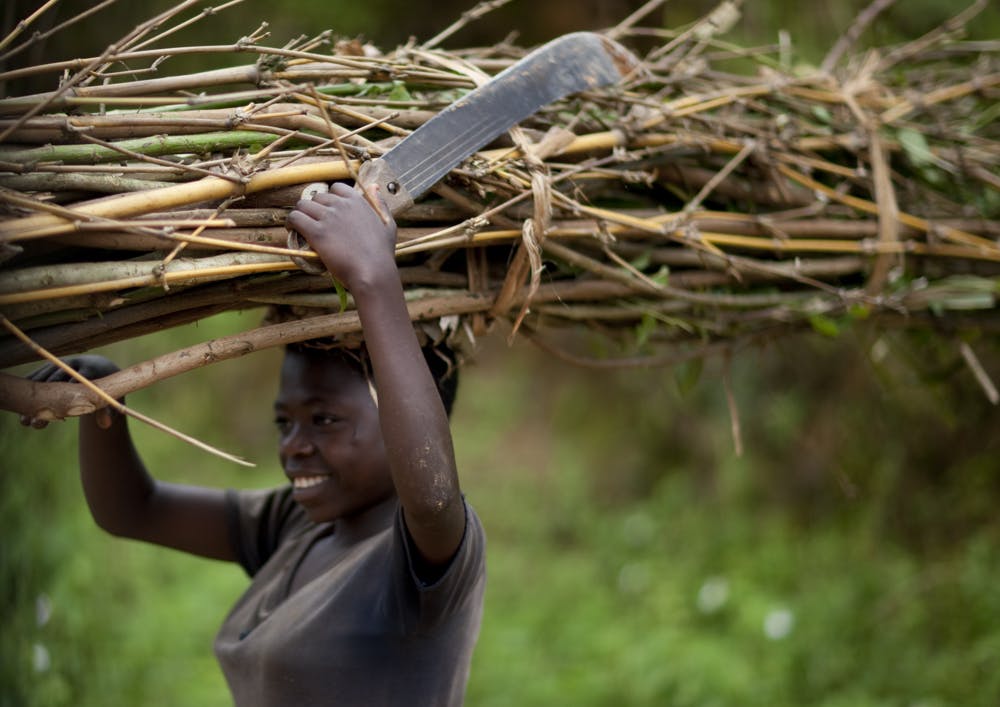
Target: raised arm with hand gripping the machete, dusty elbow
358 248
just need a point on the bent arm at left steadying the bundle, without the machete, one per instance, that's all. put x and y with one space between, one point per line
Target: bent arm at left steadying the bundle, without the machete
124 499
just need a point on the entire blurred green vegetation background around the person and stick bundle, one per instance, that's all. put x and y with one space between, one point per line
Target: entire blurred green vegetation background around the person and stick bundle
850 556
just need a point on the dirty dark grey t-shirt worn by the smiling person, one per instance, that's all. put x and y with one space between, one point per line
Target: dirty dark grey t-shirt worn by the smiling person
366 632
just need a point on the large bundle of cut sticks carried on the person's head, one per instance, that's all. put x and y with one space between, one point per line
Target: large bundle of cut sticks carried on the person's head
720 195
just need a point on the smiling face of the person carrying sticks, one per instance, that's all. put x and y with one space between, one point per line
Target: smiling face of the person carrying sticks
330 443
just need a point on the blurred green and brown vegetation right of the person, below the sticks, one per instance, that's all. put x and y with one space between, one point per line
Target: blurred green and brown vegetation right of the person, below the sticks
626 570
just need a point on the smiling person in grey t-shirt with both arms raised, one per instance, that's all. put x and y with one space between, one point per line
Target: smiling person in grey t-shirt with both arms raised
369 567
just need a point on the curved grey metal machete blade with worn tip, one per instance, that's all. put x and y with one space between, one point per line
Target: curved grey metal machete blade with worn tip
570 64
